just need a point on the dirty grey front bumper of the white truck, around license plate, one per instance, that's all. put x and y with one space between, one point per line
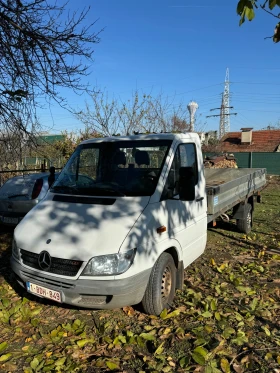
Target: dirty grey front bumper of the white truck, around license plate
98 294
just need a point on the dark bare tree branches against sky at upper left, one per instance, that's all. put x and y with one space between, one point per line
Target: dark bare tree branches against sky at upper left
43 49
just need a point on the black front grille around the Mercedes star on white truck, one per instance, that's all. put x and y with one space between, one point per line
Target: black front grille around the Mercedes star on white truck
64 267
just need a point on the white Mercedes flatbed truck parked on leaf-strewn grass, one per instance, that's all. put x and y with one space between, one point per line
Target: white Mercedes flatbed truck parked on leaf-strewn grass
124 218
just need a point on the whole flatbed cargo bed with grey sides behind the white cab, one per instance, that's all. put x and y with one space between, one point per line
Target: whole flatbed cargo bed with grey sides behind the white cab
227 187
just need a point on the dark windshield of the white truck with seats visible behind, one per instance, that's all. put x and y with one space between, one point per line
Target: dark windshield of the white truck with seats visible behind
123 168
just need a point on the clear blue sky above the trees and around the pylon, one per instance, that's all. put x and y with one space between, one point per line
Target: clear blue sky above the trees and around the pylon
182 49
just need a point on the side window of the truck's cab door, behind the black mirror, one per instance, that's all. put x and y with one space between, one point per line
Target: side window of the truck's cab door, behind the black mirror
185 156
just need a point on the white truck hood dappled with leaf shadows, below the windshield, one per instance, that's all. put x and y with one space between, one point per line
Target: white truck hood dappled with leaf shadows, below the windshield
79 231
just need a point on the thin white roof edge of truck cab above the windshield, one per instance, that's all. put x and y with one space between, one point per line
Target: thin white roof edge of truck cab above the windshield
157 136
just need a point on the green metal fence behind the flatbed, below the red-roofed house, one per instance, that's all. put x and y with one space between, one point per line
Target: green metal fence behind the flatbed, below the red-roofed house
270 161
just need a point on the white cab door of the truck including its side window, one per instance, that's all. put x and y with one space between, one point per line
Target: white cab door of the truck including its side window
187 220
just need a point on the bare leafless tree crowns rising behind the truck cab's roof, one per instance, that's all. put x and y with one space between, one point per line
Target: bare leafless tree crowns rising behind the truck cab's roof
141 113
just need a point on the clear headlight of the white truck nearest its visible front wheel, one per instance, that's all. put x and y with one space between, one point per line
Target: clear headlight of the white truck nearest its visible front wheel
105 265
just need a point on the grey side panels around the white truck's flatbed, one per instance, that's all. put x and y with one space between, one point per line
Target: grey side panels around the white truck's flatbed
235 190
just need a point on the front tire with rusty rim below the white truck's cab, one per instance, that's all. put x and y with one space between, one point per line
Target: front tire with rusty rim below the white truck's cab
160 290
